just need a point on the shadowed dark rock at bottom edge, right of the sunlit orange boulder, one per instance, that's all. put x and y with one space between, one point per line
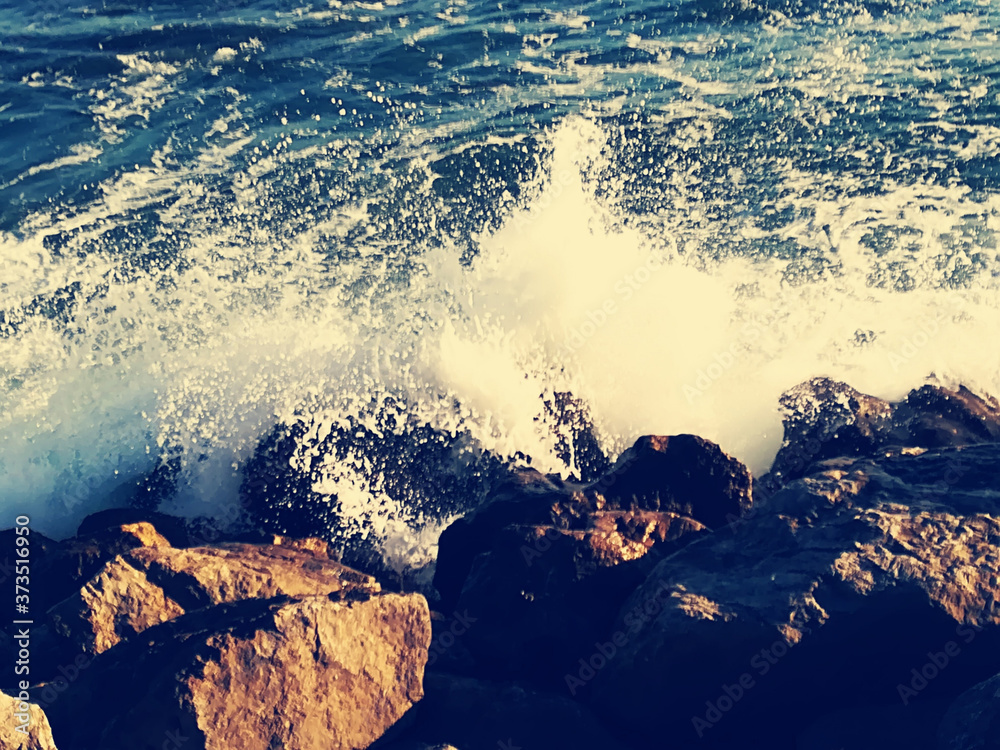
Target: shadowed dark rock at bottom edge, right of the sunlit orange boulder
480 715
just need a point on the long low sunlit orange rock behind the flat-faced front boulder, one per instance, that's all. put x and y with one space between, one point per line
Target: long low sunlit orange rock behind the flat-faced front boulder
146 586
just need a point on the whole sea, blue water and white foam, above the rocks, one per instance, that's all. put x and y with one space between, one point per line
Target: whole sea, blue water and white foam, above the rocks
217 217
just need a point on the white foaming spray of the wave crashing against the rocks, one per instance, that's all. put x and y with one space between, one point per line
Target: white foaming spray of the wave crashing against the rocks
565 296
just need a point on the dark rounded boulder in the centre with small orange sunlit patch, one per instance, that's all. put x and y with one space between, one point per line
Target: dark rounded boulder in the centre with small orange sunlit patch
543 566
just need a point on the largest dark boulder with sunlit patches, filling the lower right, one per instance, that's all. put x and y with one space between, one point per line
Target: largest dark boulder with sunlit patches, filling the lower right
827 596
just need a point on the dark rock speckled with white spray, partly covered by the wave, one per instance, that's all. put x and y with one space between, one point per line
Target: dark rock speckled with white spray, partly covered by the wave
433 474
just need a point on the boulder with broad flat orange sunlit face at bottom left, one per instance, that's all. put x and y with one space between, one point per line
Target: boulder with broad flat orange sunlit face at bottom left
317 673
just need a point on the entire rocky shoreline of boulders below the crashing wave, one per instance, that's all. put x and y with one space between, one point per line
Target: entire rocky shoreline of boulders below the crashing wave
848 599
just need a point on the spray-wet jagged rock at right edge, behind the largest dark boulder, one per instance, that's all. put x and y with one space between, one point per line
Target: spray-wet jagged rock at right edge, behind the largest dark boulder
825 419
